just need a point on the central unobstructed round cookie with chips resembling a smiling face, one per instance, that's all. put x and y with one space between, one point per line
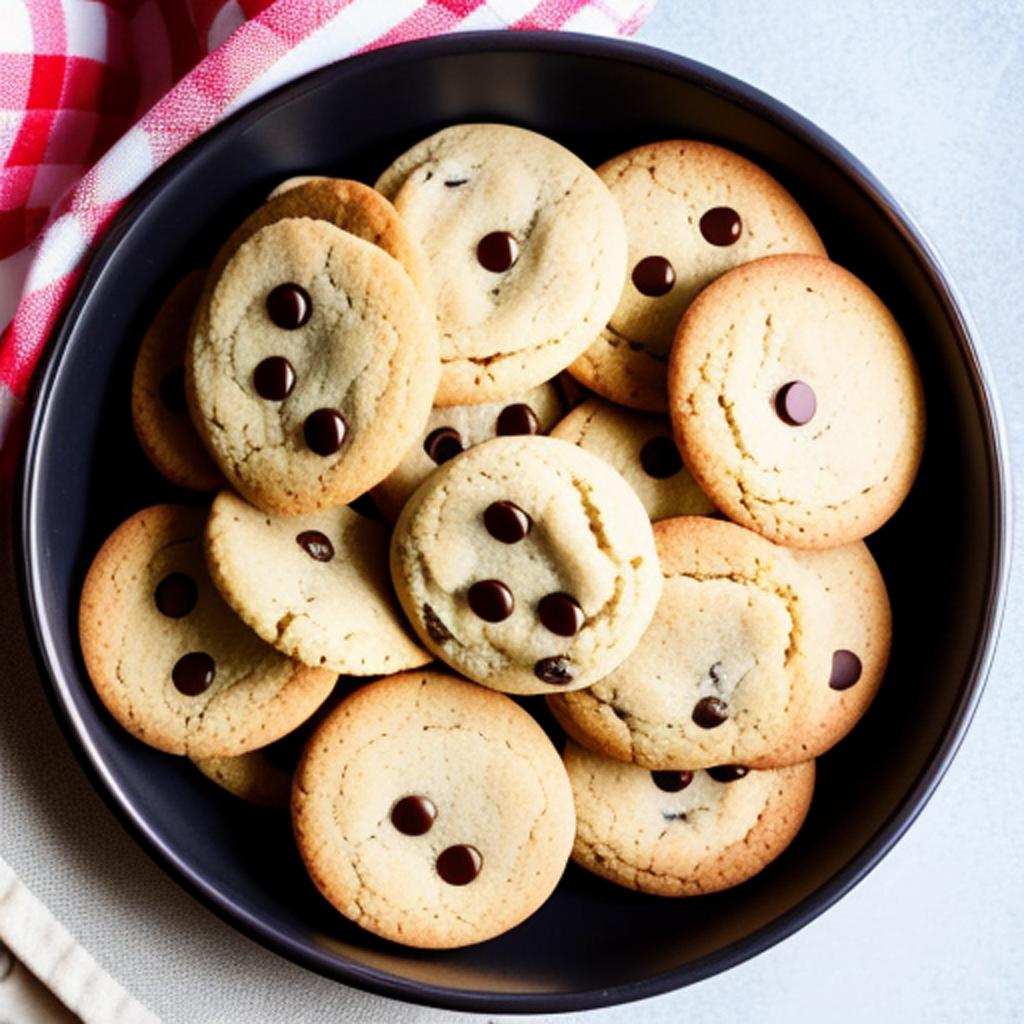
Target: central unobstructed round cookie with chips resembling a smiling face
528 565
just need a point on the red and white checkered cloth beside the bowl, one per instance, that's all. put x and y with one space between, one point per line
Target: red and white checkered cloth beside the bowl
90 108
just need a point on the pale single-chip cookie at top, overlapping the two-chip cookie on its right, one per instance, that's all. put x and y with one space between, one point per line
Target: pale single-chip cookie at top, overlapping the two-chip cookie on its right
527 248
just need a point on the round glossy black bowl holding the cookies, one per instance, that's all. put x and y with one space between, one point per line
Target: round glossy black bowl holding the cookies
945 554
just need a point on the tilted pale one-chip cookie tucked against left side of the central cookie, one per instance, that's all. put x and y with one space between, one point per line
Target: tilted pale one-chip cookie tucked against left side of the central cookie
316 587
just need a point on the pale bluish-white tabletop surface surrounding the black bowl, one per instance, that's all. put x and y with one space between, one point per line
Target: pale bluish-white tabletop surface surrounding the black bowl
930 96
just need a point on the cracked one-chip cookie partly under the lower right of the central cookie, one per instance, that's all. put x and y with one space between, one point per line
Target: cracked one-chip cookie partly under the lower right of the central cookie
741 634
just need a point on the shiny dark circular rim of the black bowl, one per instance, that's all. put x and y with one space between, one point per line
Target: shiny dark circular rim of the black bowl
28 560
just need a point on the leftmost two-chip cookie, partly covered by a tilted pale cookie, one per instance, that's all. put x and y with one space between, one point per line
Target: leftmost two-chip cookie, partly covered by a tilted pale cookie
169 660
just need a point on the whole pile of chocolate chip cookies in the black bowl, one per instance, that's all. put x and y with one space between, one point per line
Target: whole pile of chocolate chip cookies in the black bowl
678 569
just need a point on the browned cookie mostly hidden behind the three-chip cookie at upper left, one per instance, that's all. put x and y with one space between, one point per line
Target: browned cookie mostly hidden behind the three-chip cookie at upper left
350 205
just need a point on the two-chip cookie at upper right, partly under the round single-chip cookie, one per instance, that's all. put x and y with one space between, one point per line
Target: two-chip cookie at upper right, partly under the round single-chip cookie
693 211
